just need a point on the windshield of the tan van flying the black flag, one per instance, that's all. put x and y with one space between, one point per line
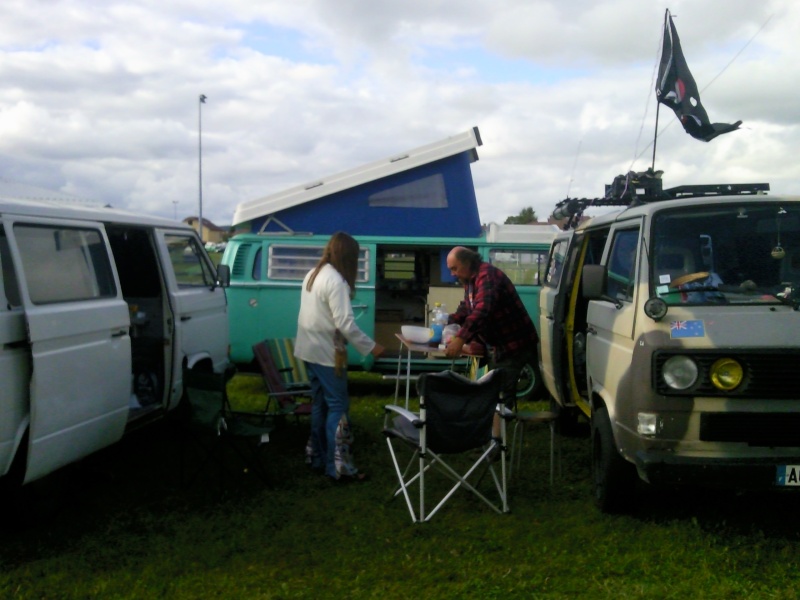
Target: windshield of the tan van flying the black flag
741 253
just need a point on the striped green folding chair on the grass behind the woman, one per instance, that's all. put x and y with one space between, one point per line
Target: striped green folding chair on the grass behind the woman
289 398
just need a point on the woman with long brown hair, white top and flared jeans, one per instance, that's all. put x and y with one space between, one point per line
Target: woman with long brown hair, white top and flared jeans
325 324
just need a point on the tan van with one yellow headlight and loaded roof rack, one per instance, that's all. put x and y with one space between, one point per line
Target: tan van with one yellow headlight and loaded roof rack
673 325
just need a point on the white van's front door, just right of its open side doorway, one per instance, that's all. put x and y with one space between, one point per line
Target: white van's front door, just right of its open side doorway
199 327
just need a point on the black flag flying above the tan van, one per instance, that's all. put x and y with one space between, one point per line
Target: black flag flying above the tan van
676 89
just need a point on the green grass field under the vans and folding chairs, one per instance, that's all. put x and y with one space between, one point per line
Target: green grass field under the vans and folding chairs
120 525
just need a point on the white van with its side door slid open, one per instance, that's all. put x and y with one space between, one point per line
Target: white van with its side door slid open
100 310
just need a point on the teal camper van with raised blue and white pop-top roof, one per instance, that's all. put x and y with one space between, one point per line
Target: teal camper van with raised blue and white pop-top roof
407 212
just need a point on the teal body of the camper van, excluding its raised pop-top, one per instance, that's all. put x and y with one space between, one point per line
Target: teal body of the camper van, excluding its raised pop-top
400 281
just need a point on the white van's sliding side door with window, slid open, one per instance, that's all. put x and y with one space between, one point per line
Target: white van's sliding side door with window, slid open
78 331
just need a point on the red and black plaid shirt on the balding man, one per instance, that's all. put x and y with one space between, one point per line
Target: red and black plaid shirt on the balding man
493 313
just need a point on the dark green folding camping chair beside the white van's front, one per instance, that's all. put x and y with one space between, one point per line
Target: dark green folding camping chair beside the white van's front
219 430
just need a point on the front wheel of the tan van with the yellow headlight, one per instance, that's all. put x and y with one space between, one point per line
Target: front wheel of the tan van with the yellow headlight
613 477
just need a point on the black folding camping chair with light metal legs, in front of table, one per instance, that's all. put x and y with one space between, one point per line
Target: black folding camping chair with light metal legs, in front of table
455 418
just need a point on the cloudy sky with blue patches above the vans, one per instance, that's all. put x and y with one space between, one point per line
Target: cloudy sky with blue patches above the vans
101 99
